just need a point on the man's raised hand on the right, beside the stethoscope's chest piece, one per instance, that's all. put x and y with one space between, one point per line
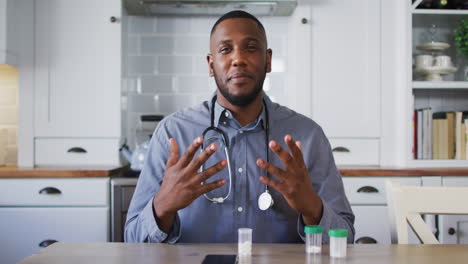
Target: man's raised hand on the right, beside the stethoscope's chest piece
294 181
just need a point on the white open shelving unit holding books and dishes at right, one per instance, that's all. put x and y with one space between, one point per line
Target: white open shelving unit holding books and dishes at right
451 94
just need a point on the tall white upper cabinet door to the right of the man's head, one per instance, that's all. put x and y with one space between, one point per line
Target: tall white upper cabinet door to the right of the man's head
346 67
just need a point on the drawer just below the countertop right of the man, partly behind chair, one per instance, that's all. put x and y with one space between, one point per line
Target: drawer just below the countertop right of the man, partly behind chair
371 190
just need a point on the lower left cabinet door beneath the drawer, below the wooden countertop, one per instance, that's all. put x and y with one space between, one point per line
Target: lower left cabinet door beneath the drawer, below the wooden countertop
26 230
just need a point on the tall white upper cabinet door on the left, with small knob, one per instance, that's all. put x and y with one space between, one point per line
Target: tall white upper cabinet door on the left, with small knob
78 68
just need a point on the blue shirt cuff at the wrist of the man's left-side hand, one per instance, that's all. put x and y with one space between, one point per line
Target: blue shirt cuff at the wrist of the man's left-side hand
155 234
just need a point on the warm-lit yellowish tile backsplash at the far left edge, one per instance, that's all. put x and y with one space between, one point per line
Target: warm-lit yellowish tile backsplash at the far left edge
9 109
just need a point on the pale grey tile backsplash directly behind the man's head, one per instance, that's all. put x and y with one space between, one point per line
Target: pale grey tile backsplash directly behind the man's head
165 67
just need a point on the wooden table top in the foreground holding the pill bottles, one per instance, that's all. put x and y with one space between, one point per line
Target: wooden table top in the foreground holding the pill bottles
104 253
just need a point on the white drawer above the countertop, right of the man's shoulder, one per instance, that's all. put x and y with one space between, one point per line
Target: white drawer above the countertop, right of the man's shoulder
356 151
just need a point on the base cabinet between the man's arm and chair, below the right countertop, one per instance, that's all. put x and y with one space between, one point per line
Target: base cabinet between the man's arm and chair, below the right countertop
368 199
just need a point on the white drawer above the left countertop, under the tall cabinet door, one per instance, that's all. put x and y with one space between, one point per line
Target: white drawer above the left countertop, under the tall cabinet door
76 151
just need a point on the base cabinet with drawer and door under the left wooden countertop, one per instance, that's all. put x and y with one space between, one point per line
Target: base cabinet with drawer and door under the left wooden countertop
36 212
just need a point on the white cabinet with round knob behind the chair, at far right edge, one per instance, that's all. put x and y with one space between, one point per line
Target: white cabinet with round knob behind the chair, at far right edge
453 229
